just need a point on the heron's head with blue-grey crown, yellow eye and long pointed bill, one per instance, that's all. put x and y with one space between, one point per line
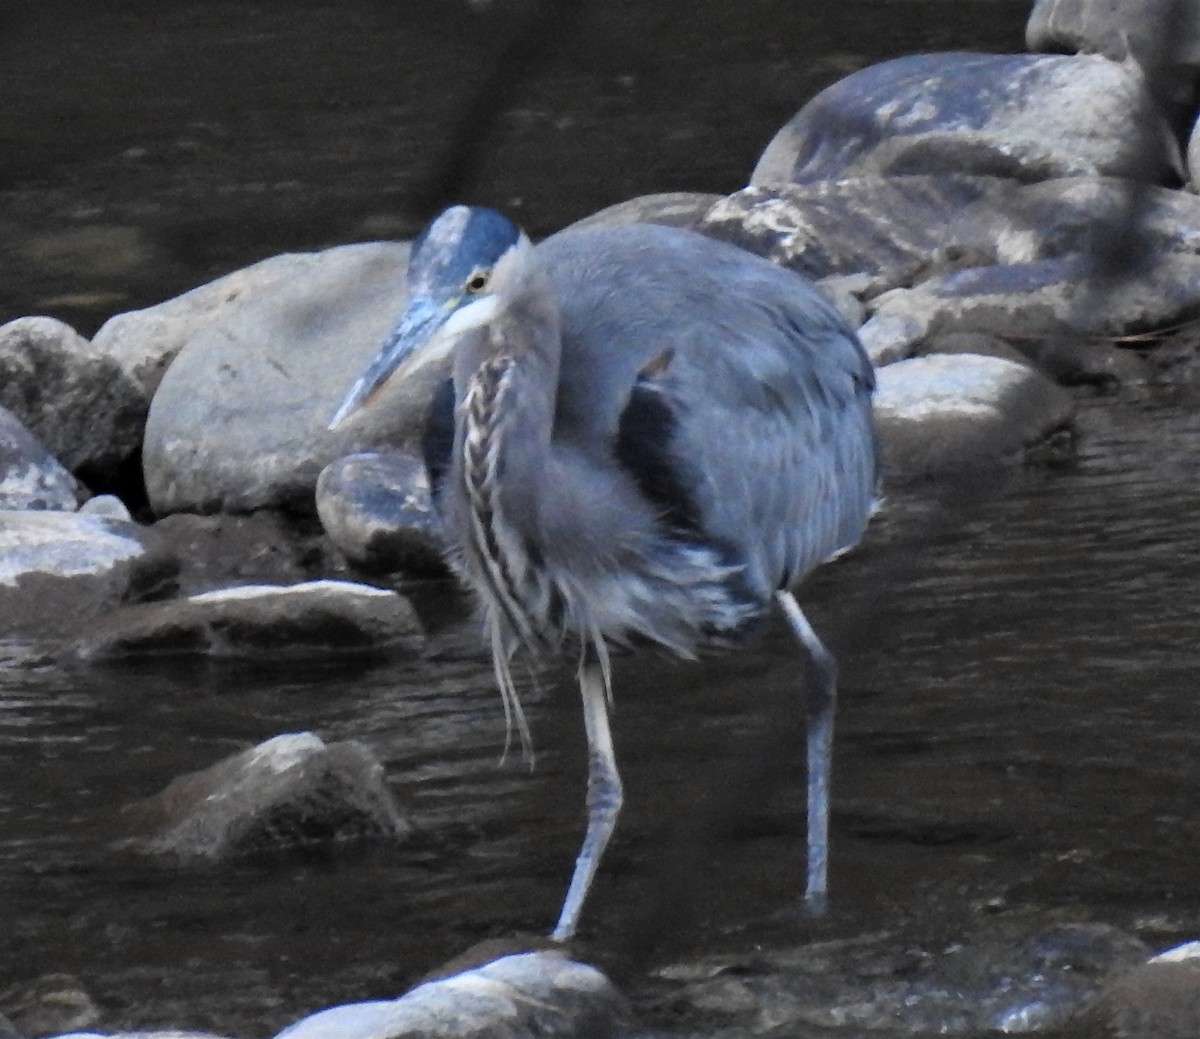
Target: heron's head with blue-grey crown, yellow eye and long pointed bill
457 267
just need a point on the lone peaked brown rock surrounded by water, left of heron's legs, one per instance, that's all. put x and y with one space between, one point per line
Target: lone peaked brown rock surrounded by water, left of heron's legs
290 792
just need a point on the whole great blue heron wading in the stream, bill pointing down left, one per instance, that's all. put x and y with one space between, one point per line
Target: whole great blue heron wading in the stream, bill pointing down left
650 439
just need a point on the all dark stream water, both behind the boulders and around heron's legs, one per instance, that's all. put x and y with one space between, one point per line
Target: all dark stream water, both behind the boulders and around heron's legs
1018 729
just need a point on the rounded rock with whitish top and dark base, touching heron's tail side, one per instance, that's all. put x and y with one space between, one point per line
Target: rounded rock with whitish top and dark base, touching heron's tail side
949 413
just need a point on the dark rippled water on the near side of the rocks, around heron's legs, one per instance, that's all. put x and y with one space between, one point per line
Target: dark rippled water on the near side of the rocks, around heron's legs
1018 729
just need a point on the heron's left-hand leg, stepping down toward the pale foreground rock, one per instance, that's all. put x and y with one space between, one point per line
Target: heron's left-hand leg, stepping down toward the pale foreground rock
604 795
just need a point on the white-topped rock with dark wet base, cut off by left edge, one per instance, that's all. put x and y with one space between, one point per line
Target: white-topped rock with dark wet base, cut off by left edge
62 569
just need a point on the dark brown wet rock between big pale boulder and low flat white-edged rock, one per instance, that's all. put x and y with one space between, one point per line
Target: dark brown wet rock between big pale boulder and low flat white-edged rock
266 548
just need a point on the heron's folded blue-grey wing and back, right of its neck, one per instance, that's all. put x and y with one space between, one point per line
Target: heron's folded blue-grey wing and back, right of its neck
758 424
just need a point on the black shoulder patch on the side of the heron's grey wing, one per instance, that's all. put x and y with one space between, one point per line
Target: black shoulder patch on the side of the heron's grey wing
644 449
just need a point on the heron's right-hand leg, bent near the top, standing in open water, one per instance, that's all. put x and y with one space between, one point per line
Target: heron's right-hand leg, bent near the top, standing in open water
821 700
